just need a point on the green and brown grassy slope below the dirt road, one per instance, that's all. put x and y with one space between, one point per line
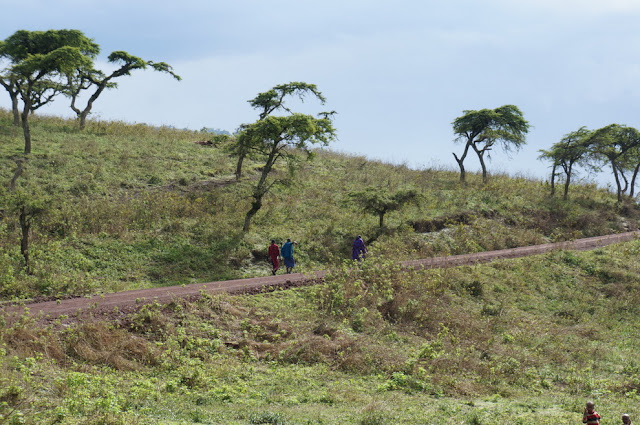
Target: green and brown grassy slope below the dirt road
520 341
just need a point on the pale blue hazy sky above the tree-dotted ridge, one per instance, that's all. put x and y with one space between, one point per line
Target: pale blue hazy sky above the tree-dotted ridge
397 73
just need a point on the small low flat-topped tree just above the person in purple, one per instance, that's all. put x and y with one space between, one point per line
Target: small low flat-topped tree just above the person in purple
379 201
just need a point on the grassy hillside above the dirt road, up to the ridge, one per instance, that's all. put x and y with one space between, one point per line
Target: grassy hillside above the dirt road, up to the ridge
130 206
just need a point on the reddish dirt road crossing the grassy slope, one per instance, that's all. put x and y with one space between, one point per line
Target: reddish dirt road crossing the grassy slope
128 300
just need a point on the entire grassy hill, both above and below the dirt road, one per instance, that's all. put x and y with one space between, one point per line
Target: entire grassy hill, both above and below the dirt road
123 207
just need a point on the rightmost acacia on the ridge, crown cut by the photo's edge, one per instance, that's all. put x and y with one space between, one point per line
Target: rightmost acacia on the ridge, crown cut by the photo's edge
618 145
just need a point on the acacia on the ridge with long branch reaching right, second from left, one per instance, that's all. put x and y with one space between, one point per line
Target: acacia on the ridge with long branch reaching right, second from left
85 78
